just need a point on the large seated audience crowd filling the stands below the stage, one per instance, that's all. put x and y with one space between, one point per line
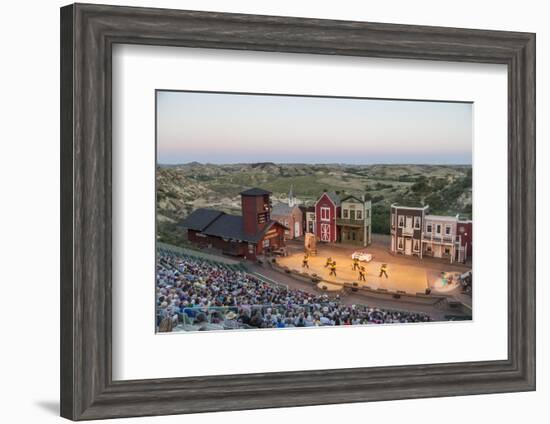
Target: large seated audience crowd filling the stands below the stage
204 295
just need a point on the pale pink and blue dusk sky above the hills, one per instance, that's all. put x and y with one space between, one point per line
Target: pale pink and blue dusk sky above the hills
236 128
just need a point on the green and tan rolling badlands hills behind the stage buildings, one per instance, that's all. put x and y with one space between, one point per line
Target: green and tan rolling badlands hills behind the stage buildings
183 188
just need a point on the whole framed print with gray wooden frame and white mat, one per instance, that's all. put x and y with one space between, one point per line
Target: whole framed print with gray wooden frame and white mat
264 211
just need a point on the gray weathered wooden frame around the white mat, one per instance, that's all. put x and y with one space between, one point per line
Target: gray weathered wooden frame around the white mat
88 33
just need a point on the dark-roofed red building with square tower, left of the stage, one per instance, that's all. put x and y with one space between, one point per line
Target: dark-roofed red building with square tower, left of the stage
249 235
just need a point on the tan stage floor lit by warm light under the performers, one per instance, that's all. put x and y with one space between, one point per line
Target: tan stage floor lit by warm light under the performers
411 275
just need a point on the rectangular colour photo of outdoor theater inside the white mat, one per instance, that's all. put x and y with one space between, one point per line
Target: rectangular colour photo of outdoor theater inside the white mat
282 211
